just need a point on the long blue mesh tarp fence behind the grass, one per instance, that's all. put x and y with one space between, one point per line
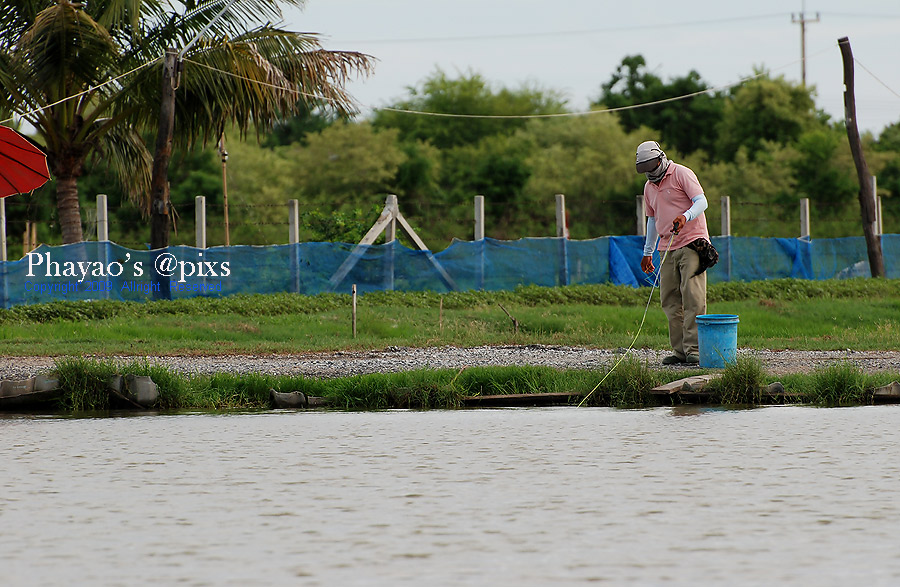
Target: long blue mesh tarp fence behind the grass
105 270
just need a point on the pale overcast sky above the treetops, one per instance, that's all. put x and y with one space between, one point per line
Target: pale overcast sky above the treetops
574 46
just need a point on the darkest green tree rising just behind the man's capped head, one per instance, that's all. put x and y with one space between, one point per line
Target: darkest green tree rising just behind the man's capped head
685 125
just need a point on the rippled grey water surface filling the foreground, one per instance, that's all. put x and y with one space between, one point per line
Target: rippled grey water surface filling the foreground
784 495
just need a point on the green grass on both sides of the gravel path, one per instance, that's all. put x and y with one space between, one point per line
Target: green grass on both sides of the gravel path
862 314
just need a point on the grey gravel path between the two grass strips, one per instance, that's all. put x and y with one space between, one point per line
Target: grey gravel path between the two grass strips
394 359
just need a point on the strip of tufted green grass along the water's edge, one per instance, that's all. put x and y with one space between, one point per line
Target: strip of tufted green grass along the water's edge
628 386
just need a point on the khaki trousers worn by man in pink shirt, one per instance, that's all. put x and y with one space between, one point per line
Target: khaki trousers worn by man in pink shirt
683 297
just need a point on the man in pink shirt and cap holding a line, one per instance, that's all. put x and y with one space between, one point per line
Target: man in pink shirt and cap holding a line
675 204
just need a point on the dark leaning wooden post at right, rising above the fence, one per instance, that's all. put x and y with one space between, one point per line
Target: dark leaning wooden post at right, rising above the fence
866 201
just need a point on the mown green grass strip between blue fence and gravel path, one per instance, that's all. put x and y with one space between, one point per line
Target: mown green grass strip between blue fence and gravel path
862 314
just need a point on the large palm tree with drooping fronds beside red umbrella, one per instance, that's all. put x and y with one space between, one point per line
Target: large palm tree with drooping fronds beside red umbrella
86 77
